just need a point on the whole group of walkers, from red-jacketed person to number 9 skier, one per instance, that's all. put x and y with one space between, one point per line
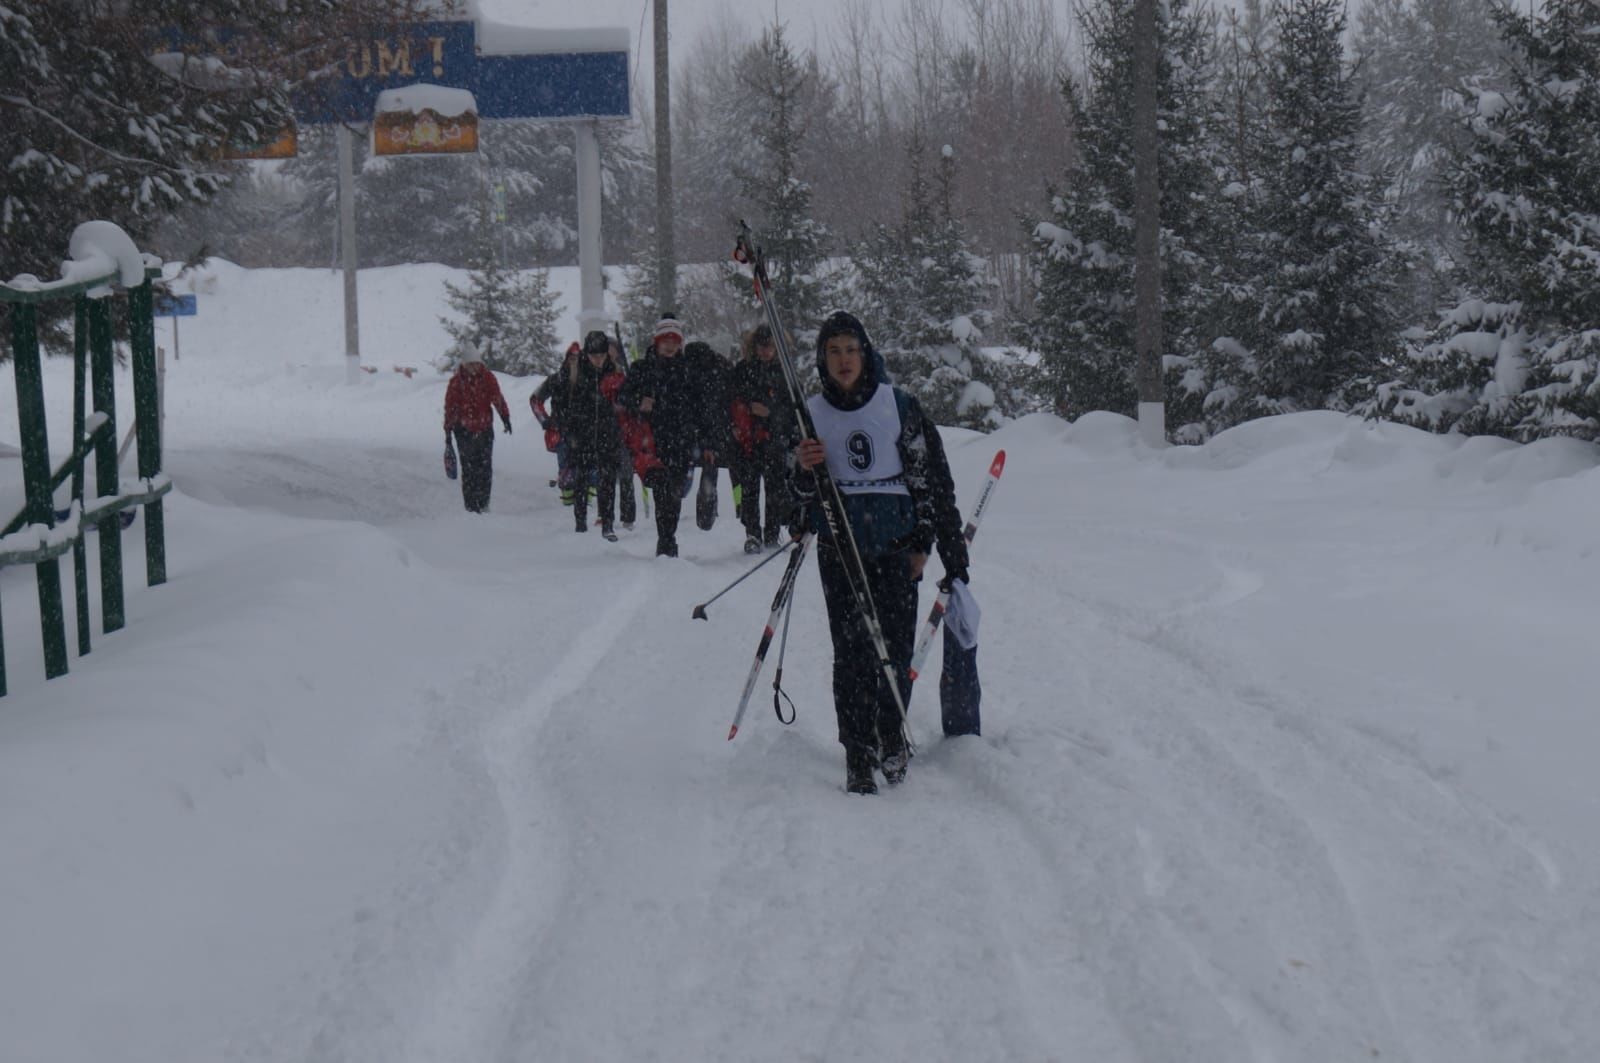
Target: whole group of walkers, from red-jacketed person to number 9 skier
682 406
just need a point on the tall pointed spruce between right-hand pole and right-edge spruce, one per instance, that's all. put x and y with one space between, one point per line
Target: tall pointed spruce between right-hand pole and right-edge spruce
1326 326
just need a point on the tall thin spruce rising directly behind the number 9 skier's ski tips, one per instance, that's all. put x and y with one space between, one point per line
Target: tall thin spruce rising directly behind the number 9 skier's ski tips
794 243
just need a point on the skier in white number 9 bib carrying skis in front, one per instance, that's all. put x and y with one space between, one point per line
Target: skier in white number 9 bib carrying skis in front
889 463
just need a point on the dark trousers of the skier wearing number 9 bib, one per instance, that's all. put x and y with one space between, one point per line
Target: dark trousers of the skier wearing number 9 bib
862 696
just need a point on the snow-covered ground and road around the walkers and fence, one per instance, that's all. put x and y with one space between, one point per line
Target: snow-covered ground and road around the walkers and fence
1289 755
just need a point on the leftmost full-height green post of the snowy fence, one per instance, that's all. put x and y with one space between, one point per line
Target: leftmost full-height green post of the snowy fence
36 478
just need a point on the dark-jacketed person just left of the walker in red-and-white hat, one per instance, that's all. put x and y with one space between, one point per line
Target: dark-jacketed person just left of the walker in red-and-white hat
588 419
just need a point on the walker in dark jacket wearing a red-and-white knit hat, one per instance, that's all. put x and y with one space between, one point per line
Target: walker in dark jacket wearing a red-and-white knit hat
666 391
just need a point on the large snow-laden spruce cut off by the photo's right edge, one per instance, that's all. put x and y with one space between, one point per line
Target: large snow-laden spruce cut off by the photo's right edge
1521 355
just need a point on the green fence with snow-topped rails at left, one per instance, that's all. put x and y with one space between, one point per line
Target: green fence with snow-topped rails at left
36 536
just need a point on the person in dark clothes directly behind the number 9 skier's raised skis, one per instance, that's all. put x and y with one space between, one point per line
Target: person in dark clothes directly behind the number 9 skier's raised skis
764 431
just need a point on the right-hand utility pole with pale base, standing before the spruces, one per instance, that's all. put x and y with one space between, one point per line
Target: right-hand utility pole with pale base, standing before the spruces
1148 227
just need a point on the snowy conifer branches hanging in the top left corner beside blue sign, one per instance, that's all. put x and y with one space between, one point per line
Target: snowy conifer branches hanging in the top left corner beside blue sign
97 126
